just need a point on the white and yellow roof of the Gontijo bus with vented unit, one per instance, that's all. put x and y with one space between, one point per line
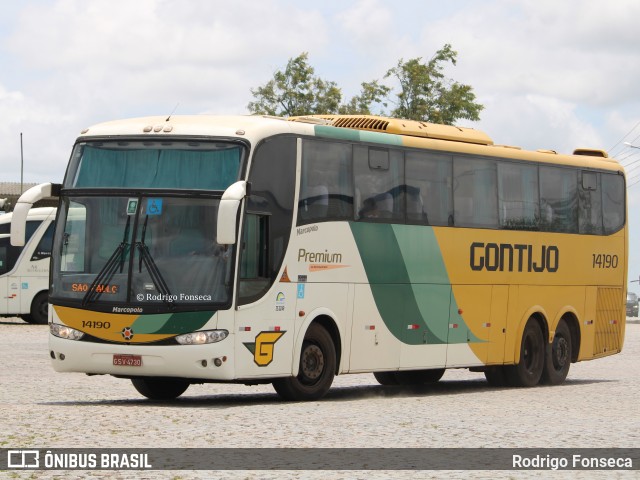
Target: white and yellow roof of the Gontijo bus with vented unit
373 128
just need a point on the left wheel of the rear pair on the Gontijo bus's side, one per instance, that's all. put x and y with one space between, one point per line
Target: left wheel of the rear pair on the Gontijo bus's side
528 371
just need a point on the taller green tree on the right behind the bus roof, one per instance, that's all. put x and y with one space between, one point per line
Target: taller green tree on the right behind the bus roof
427 95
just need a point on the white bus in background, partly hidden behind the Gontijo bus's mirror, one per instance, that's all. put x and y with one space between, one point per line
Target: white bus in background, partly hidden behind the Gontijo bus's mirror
24 271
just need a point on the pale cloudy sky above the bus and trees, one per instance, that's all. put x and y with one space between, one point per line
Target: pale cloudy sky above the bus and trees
551 74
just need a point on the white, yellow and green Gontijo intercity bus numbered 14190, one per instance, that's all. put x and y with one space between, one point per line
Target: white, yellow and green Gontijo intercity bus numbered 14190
254 250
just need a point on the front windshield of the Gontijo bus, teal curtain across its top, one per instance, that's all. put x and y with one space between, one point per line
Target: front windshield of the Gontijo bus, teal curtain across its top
128 244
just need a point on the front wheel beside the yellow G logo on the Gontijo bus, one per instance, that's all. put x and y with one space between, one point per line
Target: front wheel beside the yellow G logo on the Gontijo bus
317 368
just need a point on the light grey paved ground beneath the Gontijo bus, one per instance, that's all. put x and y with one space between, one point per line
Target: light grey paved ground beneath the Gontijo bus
596 407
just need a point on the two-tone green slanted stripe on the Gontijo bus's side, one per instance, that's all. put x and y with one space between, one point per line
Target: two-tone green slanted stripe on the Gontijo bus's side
409 283
